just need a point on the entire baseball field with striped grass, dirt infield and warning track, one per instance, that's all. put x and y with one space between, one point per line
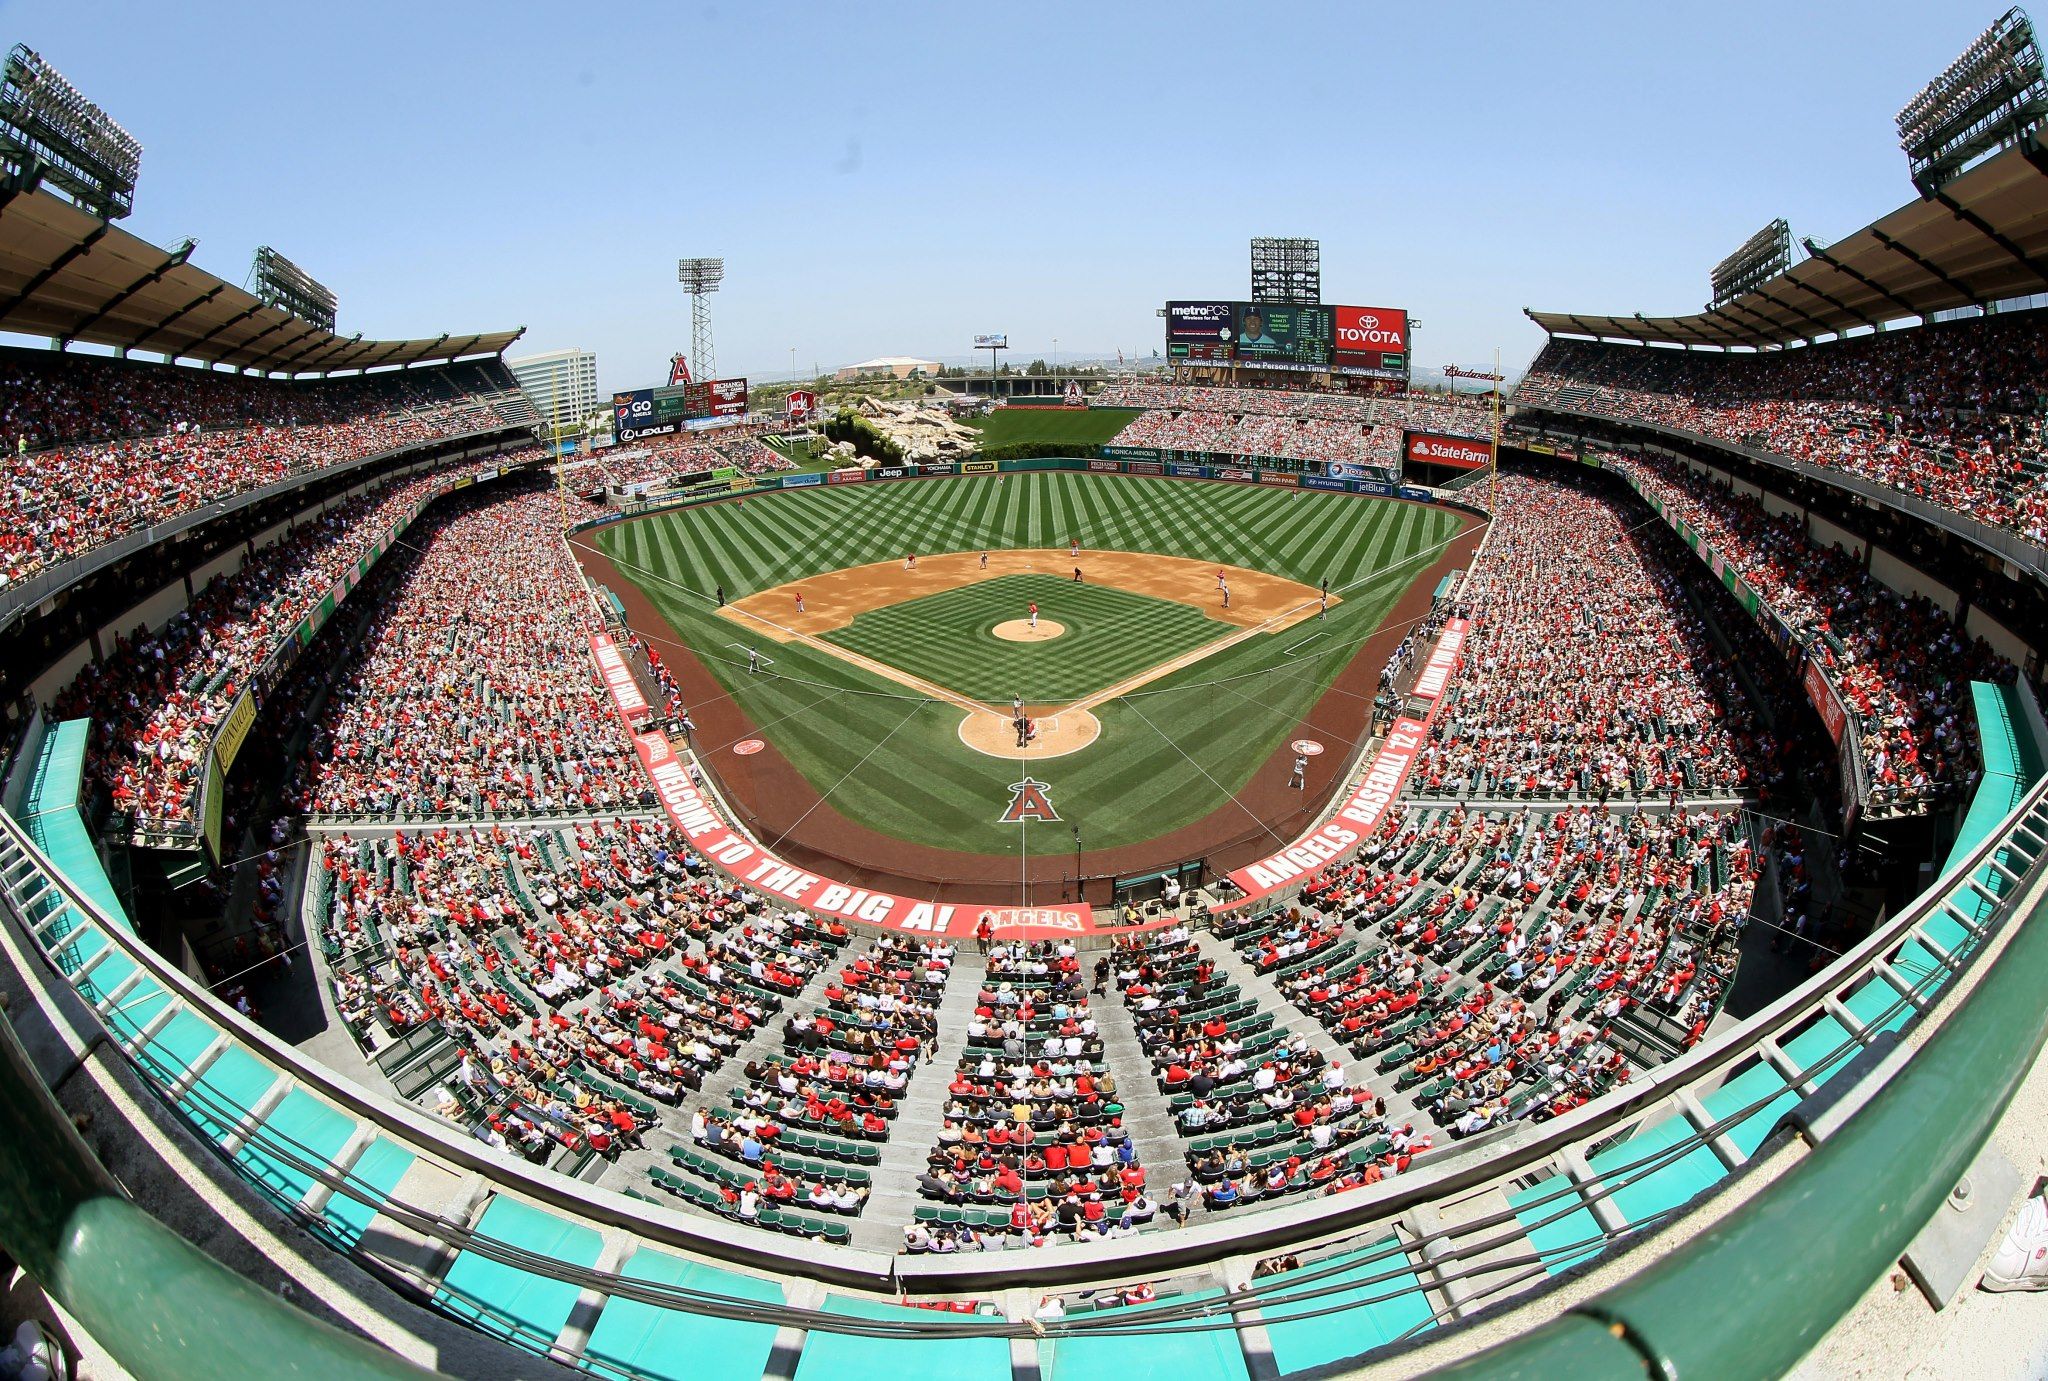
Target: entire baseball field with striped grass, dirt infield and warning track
873 694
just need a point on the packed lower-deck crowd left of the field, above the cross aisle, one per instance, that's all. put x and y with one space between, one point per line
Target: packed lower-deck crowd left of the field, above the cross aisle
474 692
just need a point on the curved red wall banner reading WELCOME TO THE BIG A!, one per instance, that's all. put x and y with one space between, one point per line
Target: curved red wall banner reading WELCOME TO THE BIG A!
746 862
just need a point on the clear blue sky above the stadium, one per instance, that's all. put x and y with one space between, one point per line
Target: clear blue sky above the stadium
892 179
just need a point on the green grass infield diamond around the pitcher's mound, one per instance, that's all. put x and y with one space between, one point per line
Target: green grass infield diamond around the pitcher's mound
1111 634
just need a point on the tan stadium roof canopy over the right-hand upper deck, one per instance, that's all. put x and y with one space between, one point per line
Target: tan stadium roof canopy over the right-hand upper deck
1977 241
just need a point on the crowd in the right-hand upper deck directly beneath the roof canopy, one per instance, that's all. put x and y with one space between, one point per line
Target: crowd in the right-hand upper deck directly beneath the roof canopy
1949 413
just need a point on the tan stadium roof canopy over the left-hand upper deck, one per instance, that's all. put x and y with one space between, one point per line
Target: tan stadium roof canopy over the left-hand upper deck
71 276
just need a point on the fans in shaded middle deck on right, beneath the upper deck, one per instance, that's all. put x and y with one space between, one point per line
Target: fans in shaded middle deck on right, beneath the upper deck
1900 663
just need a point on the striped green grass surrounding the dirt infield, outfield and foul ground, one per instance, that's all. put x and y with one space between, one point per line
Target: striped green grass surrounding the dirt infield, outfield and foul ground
1168 755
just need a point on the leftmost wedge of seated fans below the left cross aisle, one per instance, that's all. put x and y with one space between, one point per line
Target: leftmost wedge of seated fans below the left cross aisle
587 974
